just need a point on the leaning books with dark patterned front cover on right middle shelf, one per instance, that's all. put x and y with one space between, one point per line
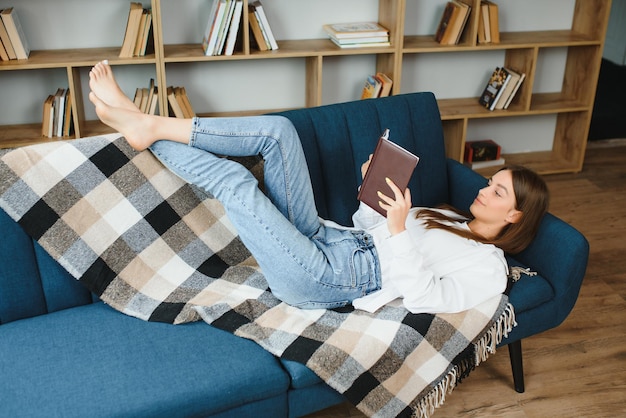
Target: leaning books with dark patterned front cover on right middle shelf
501 88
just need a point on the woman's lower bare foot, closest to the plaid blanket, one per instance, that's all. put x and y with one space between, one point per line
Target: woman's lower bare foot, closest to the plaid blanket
134 125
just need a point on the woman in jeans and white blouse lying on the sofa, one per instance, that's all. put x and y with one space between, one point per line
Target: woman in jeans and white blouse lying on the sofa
435 260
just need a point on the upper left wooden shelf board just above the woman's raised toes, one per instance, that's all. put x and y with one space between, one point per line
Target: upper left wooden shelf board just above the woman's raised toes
61 58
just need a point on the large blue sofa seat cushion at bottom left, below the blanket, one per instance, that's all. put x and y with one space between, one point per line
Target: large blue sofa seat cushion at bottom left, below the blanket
94 361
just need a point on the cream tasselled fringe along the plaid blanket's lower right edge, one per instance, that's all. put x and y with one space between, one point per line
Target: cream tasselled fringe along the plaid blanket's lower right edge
485 346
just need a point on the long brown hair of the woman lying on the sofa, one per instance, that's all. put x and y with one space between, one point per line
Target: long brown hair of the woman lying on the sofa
531 198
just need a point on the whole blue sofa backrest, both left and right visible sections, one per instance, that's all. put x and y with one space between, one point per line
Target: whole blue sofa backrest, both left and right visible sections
337 139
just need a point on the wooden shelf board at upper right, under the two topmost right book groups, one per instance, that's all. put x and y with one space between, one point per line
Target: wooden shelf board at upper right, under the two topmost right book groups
508 40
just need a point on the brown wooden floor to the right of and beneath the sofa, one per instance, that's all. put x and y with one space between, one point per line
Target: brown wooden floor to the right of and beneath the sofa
579 368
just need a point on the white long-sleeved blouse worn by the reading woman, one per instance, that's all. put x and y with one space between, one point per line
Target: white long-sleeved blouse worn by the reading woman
430 270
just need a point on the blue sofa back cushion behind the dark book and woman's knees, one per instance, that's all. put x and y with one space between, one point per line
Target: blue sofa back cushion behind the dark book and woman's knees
338 138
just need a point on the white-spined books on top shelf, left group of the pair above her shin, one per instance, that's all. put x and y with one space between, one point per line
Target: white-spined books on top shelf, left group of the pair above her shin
222 27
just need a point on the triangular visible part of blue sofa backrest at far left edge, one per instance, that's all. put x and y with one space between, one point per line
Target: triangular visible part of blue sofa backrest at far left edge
31 282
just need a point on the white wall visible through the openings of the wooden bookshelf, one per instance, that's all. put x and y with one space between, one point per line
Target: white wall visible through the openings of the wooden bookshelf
264 84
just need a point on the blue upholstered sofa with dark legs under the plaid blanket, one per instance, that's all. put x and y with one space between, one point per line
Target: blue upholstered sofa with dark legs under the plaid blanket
53 362
